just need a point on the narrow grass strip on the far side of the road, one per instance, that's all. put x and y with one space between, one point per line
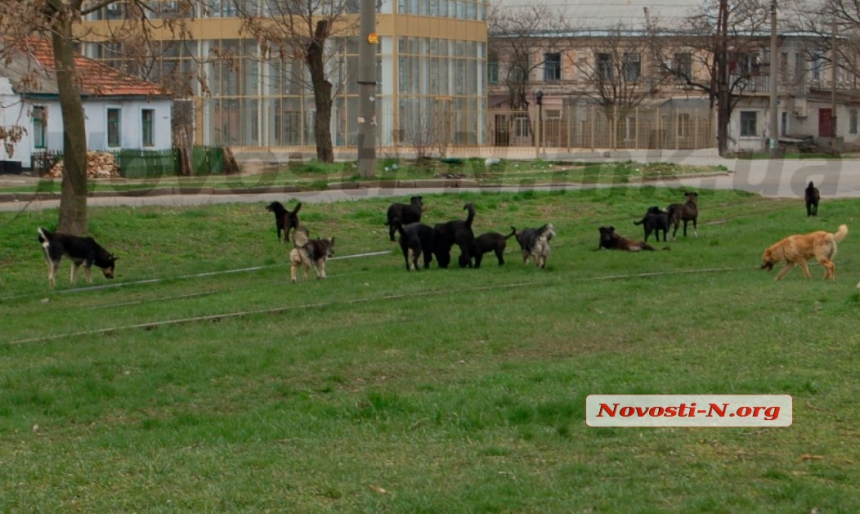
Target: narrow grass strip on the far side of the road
315 176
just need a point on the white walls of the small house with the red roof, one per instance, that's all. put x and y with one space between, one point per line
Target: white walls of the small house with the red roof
15 111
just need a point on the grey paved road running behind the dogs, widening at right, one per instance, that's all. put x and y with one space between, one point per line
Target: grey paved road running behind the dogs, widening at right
776 178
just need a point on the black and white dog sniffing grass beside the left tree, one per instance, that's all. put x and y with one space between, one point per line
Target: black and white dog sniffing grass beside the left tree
81 250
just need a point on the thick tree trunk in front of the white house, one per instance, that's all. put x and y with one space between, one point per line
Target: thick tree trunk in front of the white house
73 202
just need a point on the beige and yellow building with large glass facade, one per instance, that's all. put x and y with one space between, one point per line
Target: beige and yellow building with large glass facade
431 73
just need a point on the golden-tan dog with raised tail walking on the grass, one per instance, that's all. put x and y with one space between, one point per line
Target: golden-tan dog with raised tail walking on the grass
799 248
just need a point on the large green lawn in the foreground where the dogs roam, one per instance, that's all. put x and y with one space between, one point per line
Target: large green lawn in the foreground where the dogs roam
438 391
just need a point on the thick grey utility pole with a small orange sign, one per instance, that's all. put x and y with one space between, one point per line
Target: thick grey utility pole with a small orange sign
367 90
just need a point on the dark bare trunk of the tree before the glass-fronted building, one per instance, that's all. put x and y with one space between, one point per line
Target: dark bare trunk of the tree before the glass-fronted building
322 93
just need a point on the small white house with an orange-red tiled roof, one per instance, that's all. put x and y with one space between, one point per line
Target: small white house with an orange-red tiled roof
121 112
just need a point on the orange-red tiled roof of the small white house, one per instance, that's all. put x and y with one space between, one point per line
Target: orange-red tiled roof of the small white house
96 79
